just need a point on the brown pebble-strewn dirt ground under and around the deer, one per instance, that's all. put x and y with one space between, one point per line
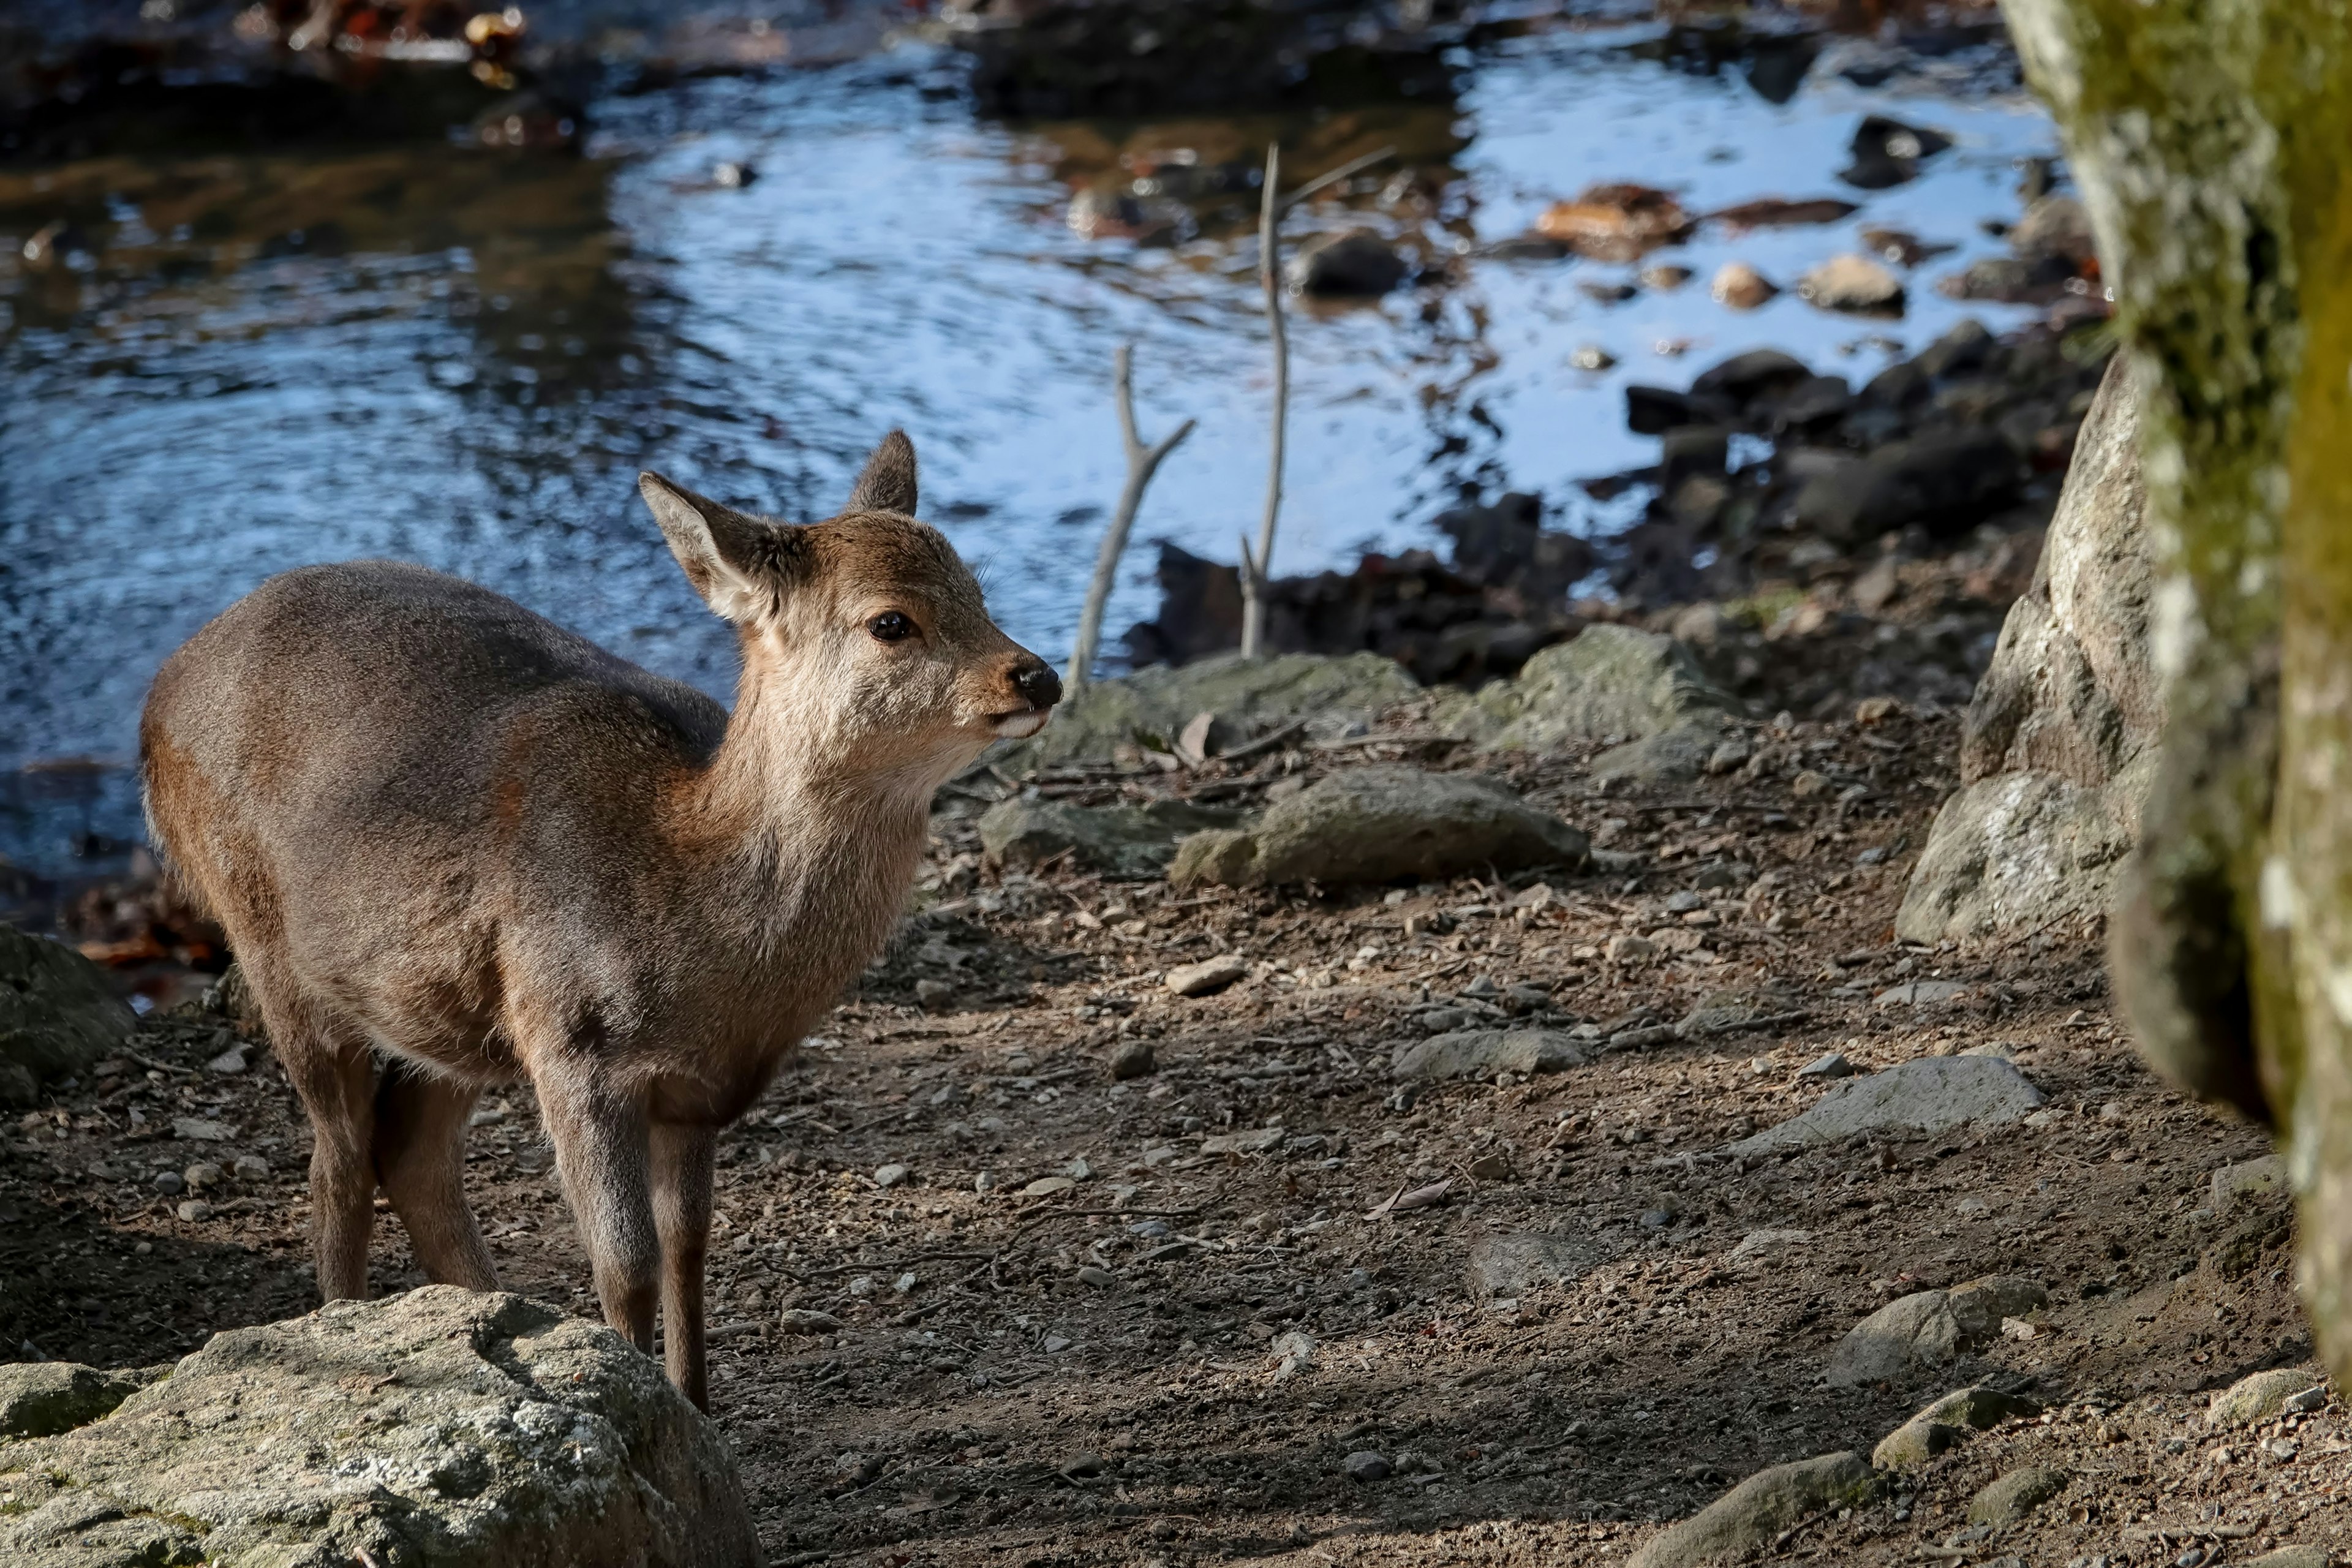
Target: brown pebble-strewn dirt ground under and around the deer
1062 1327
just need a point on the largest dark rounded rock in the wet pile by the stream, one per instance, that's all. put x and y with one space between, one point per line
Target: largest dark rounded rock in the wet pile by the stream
1944 481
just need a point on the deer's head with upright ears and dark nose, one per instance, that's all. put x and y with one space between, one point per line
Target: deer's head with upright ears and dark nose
867 634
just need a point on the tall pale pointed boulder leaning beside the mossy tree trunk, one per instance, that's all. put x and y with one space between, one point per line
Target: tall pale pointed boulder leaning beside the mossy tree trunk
2059 744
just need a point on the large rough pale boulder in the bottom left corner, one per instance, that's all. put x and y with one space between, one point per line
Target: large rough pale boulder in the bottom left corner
441 1428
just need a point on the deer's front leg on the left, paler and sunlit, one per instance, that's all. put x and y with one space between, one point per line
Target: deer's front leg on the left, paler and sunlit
601 1151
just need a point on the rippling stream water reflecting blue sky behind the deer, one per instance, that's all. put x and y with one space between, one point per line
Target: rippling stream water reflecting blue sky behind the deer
462 359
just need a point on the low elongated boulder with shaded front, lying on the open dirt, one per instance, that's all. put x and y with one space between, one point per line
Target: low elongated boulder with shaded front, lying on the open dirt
1382 824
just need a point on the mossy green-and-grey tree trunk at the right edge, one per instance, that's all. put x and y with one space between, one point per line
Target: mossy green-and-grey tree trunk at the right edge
2212 142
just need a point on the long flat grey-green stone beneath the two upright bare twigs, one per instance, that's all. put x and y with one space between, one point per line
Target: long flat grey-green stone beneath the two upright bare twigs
1252 695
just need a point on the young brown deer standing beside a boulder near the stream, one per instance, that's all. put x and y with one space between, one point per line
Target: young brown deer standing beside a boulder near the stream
455 845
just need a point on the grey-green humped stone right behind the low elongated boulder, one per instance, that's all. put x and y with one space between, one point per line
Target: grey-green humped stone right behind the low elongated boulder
1610 685
